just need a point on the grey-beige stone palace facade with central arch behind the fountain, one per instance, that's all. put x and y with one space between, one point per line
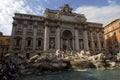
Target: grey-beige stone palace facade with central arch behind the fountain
56 29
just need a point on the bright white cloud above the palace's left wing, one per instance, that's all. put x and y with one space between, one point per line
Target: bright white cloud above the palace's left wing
7 10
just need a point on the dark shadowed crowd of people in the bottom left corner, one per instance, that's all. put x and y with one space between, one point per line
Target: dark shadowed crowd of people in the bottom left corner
8 70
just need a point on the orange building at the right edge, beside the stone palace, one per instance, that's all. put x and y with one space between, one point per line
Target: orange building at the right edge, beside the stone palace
112 36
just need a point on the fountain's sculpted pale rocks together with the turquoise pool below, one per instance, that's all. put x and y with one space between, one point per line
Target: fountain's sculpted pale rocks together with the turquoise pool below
52 66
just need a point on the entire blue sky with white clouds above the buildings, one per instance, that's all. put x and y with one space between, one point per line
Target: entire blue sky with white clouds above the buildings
100 11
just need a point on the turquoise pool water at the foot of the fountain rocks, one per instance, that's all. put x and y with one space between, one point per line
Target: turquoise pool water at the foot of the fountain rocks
92 74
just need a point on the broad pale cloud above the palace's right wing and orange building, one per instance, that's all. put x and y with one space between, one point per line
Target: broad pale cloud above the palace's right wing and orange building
104 14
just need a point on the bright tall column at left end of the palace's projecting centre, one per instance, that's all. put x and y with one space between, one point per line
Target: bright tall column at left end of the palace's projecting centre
46 38
